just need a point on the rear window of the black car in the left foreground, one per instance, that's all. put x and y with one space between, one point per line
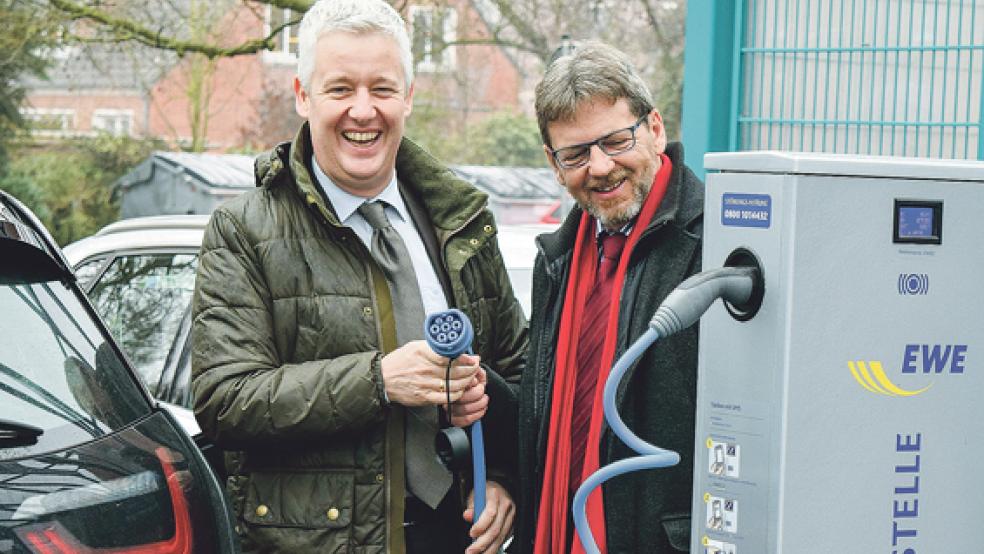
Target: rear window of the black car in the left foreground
57 373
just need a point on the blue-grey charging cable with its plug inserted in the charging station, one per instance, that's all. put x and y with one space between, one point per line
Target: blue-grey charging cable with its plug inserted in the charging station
681 309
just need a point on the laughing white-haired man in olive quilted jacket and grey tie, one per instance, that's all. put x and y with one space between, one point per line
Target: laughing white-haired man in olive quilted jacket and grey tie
308 366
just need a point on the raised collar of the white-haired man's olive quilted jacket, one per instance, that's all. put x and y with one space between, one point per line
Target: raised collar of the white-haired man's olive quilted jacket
449 201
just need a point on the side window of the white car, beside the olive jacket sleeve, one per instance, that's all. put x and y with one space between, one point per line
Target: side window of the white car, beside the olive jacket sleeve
142 298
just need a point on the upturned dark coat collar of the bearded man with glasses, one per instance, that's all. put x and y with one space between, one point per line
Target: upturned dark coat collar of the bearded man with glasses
682 204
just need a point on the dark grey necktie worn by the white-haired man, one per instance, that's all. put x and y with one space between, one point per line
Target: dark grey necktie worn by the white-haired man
427 478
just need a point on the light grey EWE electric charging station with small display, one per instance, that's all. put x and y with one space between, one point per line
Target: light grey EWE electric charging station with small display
846 415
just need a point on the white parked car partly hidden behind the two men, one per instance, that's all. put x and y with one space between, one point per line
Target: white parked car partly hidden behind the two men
140 275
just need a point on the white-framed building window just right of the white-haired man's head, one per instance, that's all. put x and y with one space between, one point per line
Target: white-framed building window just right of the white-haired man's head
433 30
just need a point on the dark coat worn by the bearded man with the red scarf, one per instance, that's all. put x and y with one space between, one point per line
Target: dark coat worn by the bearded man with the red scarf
646 512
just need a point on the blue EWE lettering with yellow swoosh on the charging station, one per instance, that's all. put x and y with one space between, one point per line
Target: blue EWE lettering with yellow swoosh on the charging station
927 359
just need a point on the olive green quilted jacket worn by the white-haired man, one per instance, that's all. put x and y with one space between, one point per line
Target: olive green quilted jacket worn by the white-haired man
291 319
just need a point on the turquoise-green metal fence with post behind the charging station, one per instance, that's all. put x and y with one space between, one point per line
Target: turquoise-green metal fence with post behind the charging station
887 77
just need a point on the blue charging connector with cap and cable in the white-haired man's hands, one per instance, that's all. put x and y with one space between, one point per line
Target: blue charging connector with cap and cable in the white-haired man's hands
450 333
